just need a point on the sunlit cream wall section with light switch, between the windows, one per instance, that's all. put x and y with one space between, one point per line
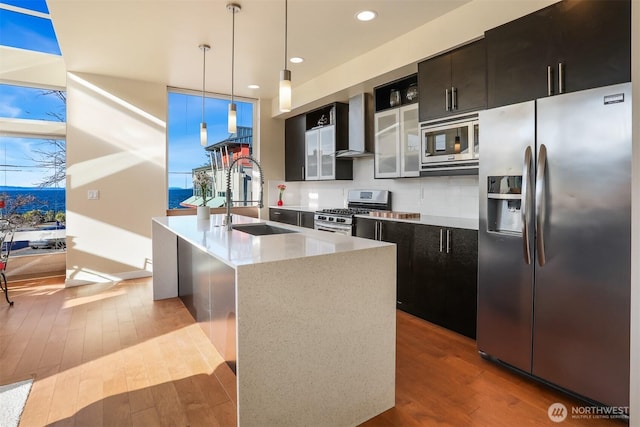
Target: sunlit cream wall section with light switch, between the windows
116 144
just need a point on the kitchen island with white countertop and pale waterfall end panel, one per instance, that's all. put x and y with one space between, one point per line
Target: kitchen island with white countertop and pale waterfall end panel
306 318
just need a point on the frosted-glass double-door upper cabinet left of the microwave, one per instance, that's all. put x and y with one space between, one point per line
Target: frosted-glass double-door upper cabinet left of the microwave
397 142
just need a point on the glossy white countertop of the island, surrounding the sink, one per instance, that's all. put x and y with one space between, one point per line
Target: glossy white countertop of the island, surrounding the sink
236 248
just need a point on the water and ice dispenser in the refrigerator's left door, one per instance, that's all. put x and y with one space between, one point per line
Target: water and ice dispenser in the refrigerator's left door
503 204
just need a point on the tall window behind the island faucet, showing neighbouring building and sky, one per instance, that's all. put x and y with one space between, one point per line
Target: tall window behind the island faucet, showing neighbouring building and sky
186 156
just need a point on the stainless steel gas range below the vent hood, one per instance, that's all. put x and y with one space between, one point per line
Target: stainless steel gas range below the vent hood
360 202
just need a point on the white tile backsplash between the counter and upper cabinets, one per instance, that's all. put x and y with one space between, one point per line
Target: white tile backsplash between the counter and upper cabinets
451 196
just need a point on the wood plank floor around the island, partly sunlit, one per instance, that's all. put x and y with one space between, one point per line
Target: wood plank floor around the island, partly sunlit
107 355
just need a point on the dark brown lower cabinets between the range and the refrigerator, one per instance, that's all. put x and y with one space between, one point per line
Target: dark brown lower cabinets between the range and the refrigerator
436 270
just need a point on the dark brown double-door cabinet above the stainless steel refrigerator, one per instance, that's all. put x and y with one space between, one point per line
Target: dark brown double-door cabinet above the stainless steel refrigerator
569 46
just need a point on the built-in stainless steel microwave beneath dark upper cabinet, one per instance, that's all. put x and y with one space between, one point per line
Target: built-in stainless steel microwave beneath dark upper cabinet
450 145
